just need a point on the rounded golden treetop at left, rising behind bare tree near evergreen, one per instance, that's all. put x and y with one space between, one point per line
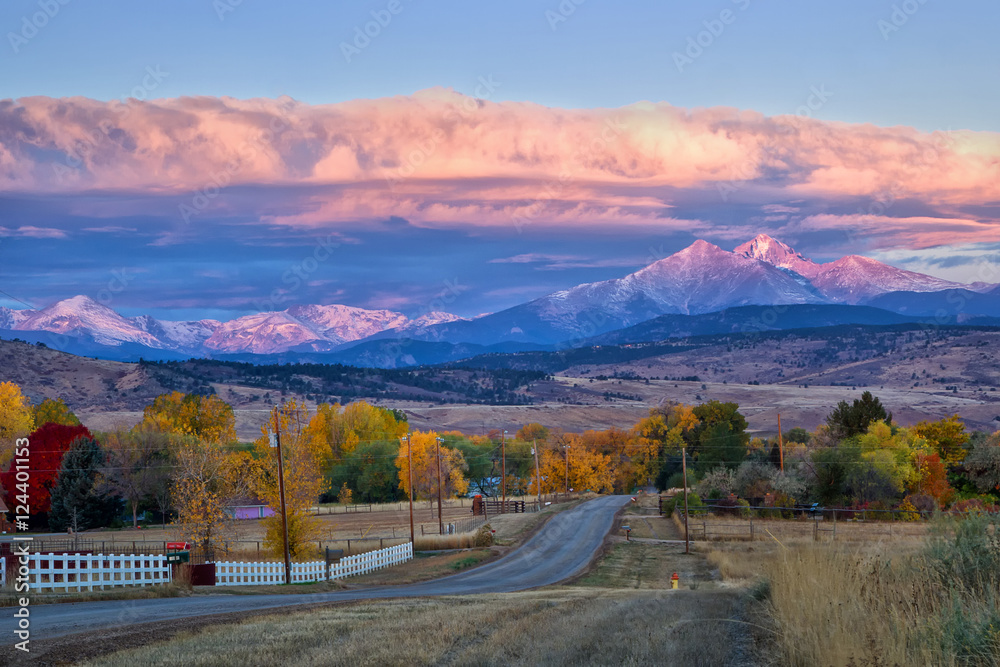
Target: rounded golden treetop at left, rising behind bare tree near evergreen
208 418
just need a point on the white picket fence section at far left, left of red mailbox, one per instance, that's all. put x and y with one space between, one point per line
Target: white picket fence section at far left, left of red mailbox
79 572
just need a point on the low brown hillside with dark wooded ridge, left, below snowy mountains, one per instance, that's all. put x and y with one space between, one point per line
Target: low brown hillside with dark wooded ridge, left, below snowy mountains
100 385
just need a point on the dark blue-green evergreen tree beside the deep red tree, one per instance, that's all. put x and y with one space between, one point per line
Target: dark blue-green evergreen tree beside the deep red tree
76 502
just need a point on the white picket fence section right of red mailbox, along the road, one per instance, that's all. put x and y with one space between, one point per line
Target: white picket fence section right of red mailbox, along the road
248 574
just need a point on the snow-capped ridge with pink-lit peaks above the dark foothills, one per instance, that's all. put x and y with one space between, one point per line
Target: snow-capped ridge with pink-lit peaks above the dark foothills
699 279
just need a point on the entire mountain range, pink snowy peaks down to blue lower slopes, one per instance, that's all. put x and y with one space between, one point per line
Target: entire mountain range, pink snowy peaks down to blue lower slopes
698 280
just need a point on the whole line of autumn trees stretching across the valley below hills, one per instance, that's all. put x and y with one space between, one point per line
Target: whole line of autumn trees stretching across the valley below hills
183 463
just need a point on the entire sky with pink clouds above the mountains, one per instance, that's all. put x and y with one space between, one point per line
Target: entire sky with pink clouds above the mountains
206 158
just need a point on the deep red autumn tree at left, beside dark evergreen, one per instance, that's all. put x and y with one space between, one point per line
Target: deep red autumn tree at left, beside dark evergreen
48 446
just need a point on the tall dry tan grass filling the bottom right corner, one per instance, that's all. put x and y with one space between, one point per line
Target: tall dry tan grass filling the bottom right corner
835 605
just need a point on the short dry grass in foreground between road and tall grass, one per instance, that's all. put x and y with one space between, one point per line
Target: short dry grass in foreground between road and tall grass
555 627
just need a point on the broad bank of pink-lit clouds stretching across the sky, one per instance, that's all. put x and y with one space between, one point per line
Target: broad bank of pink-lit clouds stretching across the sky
431 160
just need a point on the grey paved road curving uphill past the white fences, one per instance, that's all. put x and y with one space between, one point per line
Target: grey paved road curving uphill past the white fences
560 550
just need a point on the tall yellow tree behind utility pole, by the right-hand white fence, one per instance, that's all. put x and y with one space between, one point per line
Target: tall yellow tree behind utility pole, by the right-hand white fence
303 475
